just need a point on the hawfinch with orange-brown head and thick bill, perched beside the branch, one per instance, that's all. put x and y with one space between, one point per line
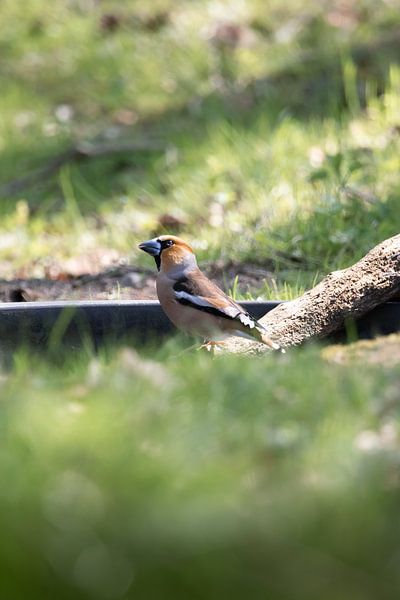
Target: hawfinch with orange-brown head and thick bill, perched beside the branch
194 303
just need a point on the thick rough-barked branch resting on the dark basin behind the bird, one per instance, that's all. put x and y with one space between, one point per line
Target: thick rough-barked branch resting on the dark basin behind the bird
344 294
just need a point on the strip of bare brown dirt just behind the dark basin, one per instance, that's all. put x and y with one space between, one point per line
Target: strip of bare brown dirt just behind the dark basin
120 283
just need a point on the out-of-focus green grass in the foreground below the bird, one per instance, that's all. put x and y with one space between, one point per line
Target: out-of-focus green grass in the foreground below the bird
192 477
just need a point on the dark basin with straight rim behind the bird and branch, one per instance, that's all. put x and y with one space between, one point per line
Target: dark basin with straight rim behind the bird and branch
49 324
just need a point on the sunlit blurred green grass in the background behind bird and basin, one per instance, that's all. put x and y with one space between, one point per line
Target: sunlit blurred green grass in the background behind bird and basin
281 149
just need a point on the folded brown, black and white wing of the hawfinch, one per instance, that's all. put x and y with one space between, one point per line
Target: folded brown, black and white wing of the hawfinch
197 291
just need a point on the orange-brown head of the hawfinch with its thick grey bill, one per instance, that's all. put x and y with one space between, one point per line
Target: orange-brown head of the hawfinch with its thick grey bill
170 253
